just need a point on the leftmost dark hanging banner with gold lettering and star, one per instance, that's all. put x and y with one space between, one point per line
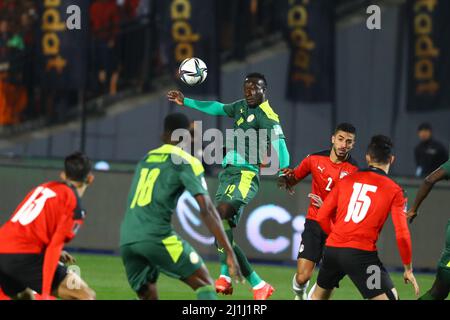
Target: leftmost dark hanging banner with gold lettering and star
62 46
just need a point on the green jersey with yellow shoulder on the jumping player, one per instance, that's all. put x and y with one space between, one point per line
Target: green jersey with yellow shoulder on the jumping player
249 121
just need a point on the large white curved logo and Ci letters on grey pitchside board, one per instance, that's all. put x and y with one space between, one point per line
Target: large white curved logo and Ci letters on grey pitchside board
268 232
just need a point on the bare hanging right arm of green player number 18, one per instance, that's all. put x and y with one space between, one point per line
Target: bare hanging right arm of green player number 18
212 220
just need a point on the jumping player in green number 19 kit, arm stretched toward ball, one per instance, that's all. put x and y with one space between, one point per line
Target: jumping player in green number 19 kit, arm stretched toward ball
239 181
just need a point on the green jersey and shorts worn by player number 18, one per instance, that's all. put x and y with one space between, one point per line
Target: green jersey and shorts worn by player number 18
148 243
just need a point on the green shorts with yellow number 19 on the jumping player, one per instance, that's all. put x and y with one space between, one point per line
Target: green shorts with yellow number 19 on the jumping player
237 187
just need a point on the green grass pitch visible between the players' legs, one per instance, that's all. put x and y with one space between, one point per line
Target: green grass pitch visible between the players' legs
106 275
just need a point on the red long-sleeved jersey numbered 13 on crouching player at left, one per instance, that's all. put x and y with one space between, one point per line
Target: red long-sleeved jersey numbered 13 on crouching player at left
49 216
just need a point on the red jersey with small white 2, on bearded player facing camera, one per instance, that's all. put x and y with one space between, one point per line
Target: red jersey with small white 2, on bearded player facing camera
325 174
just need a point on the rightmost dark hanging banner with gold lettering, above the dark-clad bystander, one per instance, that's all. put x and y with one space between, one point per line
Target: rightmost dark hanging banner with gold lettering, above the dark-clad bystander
428 51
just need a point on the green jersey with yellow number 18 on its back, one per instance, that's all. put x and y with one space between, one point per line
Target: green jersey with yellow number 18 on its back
160 178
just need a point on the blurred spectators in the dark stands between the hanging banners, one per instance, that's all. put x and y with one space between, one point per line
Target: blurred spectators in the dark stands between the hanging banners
125 51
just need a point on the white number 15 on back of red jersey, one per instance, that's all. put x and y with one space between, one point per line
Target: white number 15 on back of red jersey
359 202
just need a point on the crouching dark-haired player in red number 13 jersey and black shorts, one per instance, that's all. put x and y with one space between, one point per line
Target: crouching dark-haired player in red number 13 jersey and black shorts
31 242
